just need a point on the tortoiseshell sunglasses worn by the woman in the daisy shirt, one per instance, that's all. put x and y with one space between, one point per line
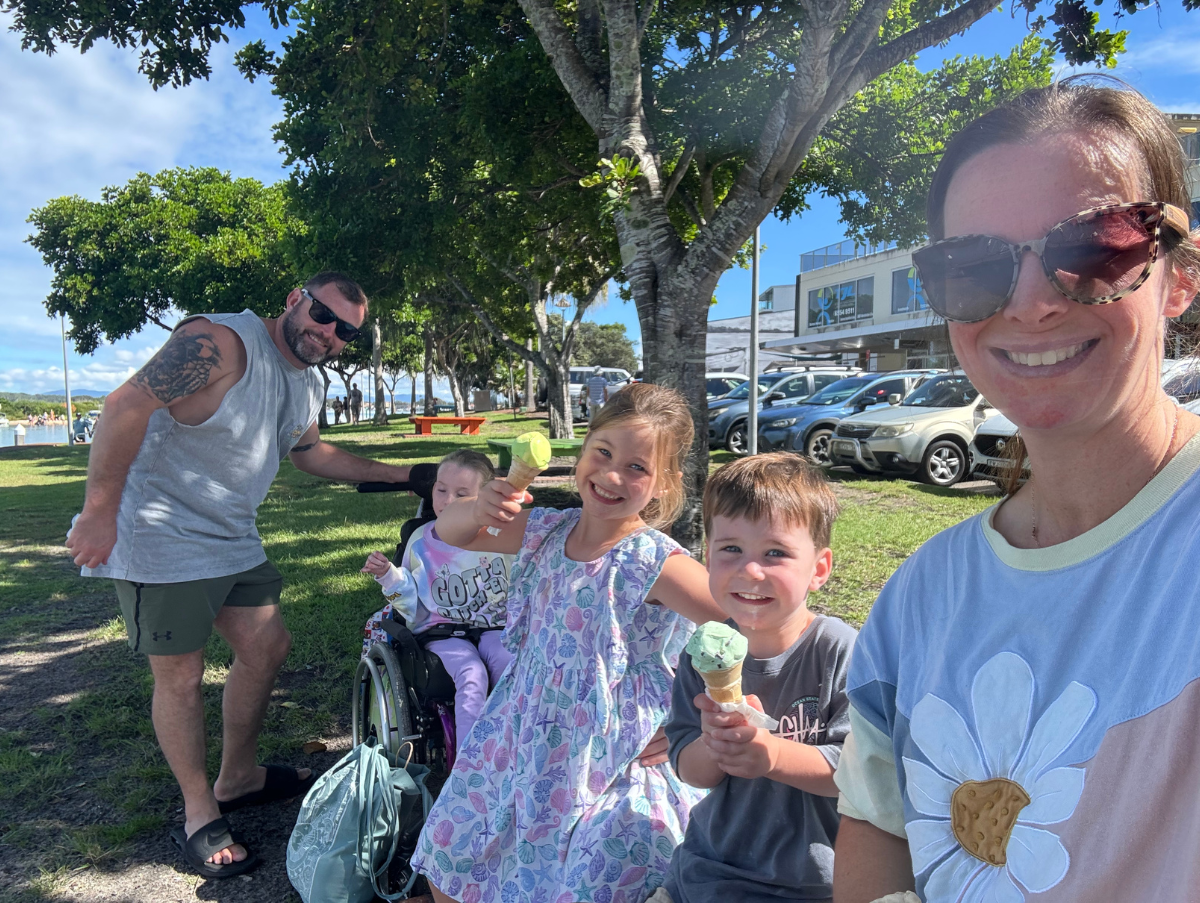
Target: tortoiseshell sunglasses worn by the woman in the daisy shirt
1097 256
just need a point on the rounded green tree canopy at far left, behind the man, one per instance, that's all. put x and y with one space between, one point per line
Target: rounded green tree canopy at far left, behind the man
191 241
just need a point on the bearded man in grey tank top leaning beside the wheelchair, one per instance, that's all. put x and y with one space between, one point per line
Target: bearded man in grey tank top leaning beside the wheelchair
183 458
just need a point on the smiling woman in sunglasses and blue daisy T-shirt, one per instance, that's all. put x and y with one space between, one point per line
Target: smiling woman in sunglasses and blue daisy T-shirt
1025 695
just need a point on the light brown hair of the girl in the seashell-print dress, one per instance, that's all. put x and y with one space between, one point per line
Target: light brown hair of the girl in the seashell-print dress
667 412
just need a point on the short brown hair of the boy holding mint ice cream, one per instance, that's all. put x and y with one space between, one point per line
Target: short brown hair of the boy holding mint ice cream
778 487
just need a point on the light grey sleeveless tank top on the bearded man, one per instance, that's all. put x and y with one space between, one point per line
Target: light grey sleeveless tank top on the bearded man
188 510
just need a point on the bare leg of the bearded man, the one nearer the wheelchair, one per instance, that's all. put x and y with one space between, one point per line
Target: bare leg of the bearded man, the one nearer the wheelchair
261 644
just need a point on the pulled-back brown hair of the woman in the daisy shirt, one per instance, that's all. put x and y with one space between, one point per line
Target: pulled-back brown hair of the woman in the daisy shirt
1082 105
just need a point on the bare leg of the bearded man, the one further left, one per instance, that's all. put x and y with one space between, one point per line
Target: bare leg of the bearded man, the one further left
178 715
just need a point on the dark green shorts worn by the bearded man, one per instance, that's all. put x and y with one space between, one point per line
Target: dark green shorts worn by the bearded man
176 619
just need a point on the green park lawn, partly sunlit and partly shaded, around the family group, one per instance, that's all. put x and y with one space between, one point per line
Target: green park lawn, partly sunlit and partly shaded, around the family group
92 737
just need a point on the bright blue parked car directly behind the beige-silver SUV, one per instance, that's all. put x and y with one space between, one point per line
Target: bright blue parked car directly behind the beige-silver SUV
807 428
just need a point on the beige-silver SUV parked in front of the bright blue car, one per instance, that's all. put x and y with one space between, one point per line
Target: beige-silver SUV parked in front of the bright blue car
927 435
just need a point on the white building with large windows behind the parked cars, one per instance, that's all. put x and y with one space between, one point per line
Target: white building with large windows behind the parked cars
868 302
